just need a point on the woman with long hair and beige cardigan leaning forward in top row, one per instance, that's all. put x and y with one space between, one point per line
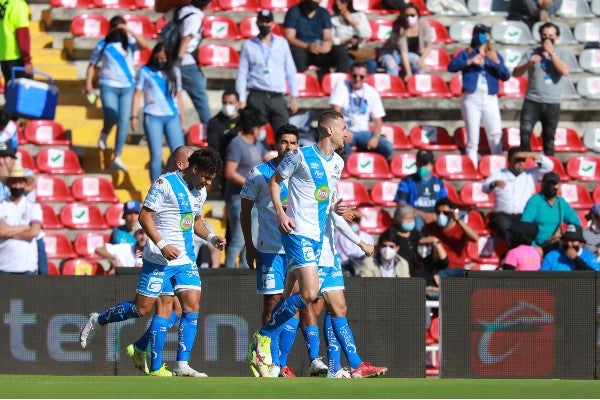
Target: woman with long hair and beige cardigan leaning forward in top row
408 45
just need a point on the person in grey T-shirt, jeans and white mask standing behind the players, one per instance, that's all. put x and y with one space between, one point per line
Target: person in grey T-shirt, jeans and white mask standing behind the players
243 153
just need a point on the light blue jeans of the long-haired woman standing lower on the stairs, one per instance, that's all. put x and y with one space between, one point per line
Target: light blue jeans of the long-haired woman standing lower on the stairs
155 127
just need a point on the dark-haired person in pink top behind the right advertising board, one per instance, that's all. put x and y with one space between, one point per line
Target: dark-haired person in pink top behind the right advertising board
523 257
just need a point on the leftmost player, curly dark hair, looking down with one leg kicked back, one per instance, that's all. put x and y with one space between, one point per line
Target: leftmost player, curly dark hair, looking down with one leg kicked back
170 215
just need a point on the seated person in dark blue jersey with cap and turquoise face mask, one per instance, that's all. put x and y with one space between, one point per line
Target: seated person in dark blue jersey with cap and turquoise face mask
422 190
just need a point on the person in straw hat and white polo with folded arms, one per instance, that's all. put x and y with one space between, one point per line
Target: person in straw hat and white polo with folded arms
20 225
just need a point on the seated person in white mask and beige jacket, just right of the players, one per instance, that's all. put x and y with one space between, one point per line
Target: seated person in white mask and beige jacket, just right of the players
385 263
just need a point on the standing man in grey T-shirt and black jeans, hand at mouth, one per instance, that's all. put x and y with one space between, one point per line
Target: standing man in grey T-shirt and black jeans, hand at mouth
545 68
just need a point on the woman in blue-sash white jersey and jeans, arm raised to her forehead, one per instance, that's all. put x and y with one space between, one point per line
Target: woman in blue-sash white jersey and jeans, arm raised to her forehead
114 55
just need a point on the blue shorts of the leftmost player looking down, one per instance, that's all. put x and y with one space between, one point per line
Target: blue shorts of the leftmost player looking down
181 277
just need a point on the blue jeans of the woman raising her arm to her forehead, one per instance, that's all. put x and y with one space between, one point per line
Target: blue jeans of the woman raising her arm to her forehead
116 106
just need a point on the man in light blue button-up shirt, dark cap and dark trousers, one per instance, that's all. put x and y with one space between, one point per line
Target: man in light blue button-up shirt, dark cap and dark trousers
266 64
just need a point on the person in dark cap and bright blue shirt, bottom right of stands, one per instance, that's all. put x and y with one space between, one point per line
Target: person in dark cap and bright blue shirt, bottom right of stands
571 256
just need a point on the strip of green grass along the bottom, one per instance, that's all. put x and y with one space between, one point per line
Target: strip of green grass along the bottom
30 386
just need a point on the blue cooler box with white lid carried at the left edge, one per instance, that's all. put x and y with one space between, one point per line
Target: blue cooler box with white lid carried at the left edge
29 98
